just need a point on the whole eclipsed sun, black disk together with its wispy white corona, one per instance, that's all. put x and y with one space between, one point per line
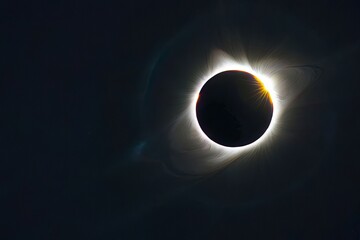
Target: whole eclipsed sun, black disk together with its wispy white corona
231 109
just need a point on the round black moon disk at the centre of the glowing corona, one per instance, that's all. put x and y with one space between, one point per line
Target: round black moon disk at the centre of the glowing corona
234 109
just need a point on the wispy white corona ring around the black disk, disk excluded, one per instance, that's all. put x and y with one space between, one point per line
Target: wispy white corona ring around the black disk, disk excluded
193 151
